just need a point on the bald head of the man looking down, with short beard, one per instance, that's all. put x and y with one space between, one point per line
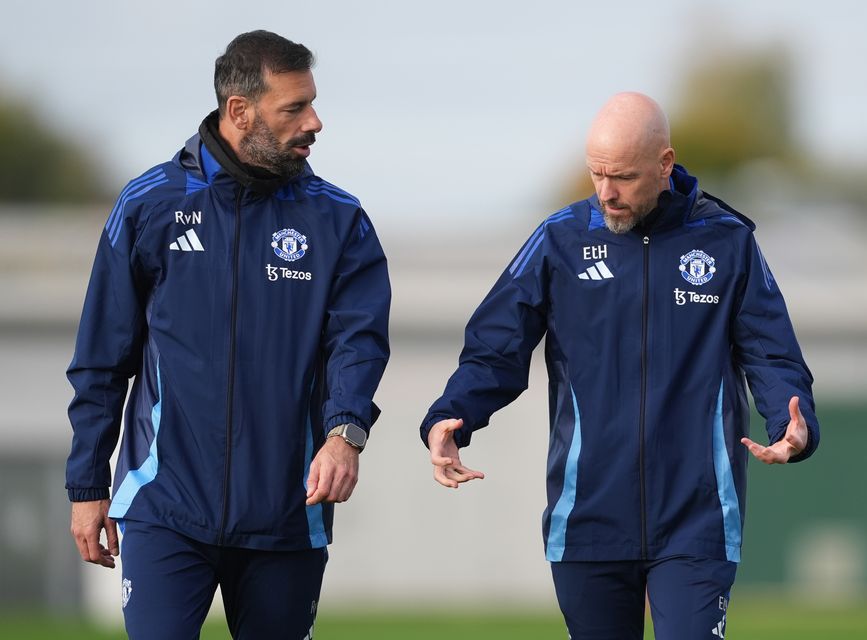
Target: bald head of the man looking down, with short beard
630 158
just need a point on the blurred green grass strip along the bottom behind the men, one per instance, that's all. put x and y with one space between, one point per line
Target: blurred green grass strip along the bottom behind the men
753 618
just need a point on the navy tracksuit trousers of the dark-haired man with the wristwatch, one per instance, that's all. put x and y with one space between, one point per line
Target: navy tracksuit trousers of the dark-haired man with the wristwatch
169 582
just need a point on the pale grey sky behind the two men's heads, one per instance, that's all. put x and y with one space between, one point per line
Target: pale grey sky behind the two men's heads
433 111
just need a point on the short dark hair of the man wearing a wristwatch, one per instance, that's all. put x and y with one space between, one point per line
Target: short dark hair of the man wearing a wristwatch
240 71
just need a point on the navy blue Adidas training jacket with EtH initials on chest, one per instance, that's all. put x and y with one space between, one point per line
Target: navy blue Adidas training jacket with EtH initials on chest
650 336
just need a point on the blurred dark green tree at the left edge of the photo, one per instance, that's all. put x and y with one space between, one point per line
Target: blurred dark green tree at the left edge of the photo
38 165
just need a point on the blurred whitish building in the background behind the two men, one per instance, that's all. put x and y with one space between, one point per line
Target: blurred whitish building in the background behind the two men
402 539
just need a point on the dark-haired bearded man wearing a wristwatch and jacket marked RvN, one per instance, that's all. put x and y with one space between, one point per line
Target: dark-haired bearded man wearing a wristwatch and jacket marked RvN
249 298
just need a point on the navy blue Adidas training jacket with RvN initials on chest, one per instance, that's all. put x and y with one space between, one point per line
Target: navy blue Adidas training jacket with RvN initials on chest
254 319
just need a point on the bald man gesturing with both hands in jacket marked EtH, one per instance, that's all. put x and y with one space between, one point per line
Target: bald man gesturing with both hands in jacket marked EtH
657 304
